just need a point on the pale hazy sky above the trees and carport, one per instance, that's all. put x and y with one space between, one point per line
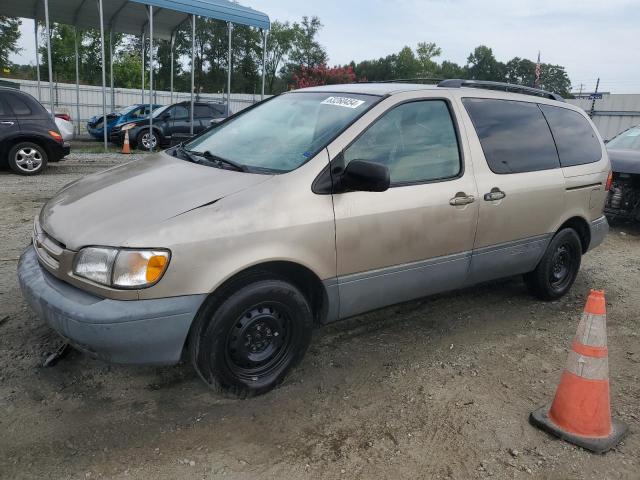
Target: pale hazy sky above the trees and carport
590 38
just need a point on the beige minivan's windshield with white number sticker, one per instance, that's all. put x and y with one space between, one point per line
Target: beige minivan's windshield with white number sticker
282 133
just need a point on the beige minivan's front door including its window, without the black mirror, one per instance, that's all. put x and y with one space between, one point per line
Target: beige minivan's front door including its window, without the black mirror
414 239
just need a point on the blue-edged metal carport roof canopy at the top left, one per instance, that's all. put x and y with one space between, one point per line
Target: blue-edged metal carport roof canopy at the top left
131 16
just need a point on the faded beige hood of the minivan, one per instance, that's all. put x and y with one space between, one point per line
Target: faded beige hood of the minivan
109 207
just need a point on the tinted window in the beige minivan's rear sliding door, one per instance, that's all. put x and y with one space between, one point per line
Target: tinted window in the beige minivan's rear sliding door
514 135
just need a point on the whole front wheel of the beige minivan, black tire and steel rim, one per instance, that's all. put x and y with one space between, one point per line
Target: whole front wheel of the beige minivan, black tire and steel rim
247 337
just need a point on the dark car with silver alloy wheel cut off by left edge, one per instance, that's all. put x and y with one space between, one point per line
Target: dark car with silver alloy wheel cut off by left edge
29 138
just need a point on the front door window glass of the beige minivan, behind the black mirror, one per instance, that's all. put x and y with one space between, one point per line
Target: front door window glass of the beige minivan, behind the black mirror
416 141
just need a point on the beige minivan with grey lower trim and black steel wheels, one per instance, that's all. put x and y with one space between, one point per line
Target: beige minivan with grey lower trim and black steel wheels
312 206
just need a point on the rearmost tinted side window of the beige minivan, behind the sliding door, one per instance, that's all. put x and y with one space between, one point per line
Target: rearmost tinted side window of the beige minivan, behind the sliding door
576 141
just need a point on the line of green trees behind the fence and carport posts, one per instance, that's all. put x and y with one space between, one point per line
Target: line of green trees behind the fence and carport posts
293 51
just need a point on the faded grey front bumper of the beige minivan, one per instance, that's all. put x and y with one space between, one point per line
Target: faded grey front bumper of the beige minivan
129 331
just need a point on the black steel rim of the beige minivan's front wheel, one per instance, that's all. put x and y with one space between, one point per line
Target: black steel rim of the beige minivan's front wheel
259 342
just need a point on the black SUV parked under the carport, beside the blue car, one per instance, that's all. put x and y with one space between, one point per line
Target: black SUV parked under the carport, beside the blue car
171 124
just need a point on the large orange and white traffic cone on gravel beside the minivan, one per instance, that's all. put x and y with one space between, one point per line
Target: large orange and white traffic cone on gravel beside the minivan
580 412
